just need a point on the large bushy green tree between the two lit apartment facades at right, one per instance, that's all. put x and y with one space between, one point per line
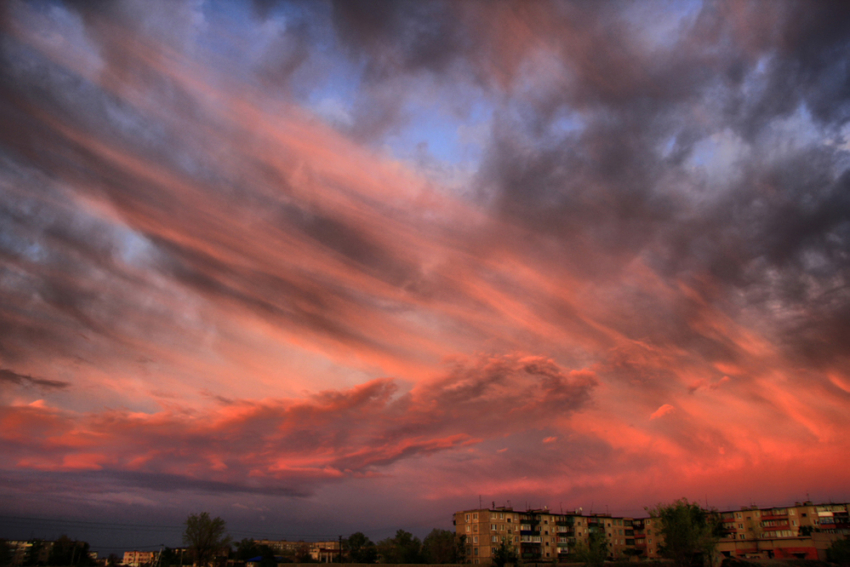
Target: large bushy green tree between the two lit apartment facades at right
690 533
